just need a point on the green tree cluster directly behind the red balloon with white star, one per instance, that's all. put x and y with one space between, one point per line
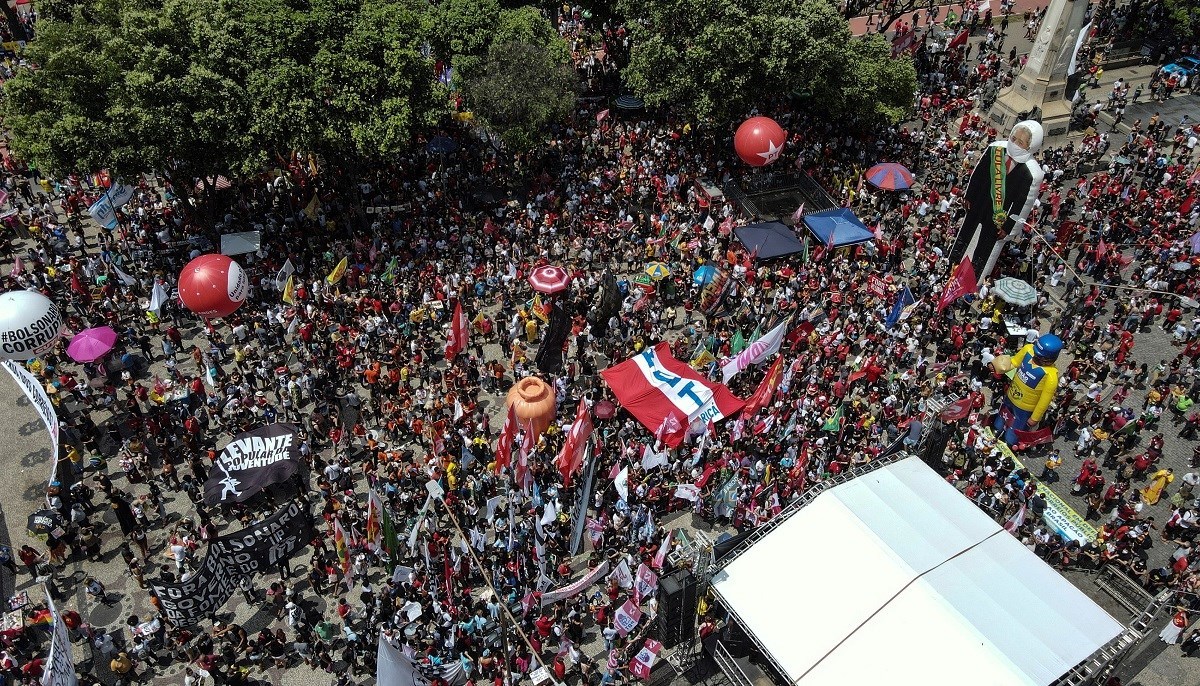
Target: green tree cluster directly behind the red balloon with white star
716 59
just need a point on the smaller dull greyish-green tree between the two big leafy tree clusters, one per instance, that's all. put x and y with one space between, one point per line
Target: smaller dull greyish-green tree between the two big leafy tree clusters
520 91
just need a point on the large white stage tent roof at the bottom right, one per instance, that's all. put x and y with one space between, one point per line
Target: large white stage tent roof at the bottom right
896 575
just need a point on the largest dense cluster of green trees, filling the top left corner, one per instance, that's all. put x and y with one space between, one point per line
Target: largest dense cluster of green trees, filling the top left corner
220 87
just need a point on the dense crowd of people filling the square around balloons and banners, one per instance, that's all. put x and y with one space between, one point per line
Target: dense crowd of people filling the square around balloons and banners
358 364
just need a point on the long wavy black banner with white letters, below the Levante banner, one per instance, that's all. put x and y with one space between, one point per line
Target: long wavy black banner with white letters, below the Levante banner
259 549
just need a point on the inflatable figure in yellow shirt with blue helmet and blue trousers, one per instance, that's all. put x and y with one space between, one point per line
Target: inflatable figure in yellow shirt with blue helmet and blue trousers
1033 388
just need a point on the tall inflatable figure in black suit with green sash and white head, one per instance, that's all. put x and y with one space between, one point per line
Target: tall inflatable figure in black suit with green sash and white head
1005 184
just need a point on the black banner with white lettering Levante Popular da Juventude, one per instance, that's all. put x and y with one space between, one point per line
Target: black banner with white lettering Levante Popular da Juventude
251 462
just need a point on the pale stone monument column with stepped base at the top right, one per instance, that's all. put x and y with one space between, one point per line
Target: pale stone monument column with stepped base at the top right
1042 85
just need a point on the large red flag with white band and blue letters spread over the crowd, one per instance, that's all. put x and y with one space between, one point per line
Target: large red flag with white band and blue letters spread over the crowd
653 387
